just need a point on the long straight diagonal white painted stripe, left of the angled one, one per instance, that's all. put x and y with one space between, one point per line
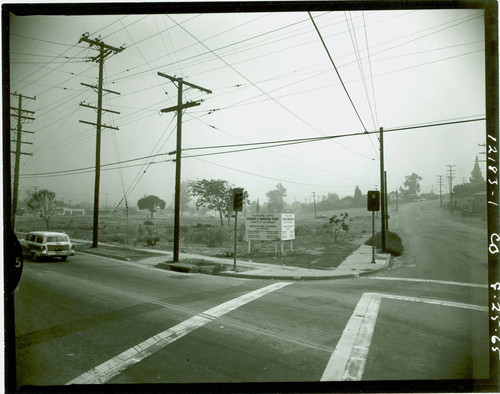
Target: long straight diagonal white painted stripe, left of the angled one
105 371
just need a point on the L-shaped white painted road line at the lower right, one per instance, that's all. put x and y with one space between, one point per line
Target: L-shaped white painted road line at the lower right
348 360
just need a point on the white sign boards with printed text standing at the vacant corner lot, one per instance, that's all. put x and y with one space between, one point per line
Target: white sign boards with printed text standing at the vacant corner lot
270 226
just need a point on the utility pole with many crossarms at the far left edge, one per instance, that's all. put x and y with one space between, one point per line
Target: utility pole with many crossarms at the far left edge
22 114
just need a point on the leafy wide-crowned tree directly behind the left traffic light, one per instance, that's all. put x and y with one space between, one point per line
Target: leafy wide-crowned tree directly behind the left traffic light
214 194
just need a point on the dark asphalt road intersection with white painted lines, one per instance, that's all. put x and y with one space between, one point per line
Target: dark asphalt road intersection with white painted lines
93 320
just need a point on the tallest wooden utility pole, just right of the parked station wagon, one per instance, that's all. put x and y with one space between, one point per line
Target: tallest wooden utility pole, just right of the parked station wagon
104 51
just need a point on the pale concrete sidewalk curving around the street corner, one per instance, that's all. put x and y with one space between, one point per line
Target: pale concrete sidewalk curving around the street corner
357 264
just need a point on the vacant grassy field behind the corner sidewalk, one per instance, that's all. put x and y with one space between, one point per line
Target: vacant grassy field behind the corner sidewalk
313 247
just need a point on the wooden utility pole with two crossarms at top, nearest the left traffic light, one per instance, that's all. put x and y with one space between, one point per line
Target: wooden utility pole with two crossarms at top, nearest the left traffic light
179 107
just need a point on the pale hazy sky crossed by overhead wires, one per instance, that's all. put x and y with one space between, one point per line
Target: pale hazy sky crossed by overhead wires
271 79
